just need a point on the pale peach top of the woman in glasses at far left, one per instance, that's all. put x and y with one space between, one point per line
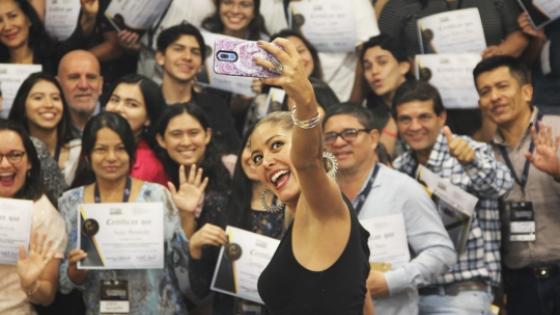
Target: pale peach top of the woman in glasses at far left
47 221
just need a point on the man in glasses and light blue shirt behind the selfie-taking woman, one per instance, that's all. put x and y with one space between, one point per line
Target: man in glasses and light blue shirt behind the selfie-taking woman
376 191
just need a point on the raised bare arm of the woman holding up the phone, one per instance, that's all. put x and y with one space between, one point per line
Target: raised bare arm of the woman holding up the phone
321 193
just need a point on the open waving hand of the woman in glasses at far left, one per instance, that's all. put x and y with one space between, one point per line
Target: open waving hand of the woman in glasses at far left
31 265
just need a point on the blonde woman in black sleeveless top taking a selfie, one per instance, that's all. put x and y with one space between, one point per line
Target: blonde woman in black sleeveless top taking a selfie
321 264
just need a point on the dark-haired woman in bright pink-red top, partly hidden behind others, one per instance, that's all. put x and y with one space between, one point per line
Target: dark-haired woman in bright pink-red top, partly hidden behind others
139 100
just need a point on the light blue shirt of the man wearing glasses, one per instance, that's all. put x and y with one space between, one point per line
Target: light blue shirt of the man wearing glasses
393 193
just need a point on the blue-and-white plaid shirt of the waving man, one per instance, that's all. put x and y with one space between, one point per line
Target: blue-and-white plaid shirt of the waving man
488 180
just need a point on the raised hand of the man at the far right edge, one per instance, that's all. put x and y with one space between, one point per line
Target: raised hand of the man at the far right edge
545 156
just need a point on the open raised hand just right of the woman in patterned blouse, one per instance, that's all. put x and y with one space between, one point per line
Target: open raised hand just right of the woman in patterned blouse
191 189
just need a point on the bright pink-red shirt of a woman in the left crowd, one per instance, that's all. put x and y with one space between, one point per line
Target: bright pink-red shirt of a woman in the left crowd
147 166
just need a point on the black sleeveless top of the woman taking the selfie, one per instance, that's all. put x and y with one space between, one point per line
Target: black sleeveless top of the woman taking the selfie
286 287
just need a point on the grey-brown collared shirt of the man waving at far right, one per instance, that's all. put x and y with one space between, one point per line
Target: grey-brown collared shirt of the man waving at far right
544 192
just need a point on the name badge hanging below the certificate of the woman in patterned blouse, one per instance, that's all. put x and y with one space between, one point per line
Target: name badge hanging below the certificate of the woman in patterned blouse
114 297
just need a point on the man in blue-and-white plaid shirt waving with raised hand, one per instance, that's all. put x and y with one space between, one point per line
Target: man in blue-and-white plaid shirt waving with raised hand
471 166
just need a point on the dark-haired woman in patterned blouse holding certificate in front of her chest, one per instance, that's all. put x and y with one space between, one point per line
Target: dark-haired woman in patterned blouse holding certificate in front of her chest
108 148
